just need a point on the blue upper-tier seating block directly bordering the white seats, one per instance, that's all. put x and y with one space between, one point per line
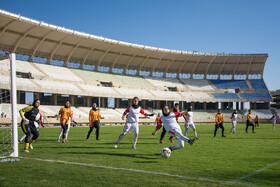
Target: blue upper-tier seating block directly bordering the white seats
230 84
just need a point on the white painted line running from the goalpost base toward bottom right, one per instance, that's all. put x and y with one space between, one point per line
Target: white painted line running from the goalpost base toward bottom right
136 170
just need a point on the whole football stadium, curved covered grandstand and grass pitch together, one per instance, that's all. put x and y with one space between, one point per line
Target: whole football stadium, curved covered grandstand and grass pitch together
55 65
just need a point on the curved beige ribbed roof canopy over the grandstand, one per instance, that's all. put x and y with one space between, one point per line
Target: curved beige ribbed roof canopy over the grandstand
38 39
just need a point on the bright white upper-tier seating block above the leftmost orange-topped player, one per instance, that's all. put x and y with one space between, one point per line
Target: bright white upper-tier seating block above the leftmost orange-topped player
60 73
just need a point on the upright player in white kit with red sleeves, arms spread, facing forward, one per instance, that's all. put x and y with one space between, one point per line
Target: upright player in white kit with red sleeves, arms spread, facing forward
133 112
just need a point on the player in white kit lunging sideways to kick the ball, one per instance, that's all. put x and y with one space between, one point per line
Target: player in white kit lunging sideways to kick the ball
173 128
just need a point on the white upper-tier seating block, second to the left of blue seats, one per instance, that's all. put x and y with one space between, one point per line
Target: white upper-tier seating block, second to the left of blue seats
165 82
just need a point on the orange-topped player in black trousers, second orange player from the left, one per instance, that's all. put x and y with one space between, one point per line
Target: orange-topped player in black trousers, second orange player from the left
94 121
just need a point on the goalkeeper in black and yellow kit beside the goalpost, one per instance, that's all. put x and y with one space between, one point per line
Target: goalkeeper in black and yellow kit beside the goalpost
28 115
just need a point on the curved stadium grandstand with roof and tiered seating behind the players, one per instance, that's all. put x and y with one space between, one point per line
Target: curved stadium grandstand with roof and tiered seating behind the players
55 64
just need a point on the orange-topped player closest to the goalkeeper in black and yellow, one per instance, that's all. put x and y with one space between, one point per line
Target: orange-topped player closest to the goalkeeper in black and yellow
65 113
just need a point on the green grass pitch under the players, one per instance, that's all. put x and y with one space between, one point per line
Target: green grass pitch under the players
238 160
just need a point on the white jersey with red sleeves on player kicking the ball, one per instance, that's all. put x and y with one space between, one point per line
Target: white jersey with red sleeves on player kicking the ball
169 122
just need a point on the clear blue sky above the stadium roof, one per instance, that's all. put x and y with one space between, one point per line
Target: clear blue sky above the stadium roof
230 26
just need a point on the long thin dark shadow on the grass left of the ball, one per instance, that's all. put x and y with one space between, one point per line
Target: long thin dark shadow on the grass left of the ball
143 156
